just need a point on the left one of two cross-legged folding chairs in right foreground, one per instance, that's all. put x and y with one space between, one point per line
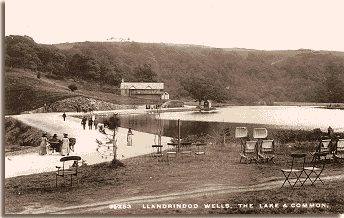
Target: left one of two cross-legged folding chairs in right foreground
296 168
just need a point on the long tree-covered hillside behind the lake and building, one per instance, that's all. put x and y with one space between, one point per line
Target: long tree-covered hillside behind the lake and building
241 76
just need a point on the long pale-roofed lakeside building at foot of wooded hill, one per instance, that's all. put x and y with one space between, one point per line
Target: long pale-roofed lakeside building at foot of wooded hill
143 90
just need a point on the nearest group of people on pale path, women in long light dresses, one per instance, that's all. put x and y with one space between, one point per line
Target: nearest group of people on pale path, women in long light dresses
48 146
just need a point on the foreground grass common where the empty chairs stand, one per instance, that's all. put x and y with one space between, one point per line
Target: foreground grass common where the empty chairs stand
147 176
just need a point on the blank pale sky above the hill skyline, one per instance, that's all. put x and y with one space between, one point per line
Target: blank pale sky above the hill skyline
251 24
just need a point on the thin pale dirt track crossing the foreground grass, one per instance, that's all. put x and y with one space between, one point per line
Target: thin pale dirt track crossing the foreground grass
138 202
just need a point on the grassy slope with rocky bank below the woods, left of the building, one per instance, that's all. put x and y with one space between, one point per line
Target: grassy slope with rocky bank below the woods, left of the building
24 92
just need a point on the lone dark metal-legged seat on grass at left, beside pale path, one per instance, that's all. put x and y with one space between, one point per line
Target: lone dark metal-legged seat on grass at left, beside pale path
72 171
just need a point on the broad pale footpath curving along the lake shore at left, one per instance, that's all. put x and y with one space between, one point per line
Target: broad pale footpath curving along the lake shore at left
86 145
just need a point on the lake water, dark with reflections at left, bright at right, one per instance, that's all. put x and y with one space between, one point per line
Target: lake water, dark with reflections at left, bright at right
272 118
